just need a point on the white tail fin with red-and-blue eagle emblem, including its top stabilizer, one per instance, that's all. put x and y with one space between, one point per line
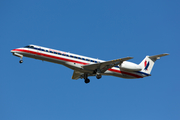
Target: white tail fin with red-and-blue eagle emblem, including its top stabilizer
148 62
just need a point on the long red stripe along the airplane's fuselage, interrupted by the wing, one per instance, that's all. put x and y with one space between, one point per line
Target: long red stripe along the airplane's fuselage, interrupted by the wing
64 59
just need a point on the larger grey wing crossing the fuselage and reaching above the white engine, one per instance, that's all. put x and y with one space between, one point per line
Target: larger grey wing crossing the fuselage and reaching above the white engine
105 65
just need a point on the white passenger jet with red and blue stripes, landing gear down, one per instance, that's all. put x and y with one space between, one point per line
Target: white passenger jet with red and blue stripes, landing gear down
85 66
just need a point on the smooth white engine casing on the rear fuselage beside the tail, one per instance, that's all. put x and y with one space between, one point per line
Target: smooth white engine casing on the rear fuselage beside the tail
130 66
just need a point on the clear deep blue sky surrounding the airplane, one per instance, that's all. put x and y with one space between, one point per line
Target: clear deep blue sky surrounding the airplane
101 29
